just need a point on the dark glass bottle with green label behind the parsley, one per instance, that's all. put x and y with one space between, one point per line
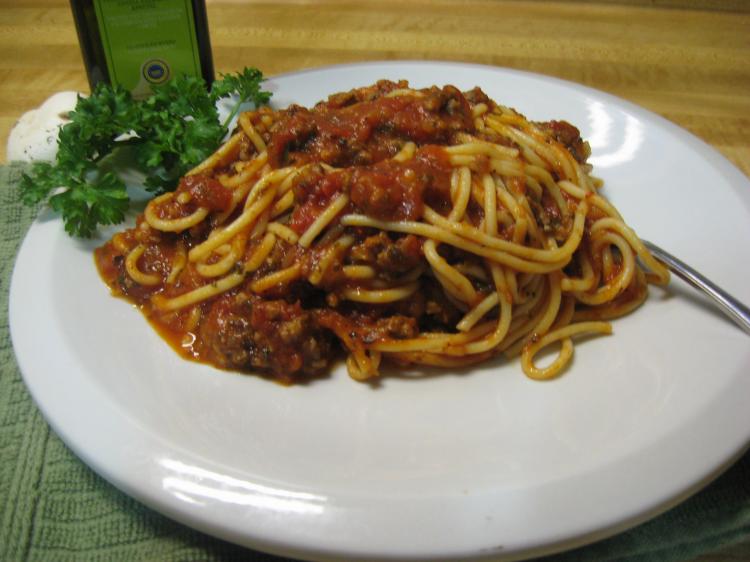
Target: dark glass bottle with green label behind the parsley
141 43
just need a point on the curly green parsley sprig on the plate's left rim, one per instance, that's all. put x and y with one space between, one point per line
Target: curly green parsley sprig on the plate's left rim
169 133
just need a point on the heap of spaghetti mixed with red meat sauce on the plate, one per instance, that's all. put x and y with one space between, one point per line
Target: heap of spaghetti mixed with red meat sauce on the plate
428 227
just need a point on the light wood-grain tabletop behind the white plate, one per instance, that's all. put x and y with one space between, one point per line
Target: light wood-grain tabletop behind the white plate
688 61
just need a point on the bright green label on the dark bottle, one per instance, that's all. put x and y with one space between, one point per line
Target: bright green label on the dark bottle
147 42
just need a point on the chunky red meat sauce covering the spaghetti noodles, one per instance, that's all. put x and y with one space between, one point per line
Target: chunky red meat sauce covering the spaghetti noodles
294 333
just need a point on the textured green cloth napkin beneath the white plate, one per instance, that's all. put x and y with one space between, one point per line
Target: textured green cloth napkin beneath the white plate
54 508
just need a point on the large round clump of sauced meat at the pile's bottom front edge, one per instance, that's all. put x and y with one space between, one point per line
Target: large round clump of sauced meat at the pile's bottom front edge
263 335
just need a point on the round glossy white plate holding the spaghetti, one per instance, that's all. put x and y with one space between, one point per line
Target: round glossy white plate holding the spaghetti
475 463
